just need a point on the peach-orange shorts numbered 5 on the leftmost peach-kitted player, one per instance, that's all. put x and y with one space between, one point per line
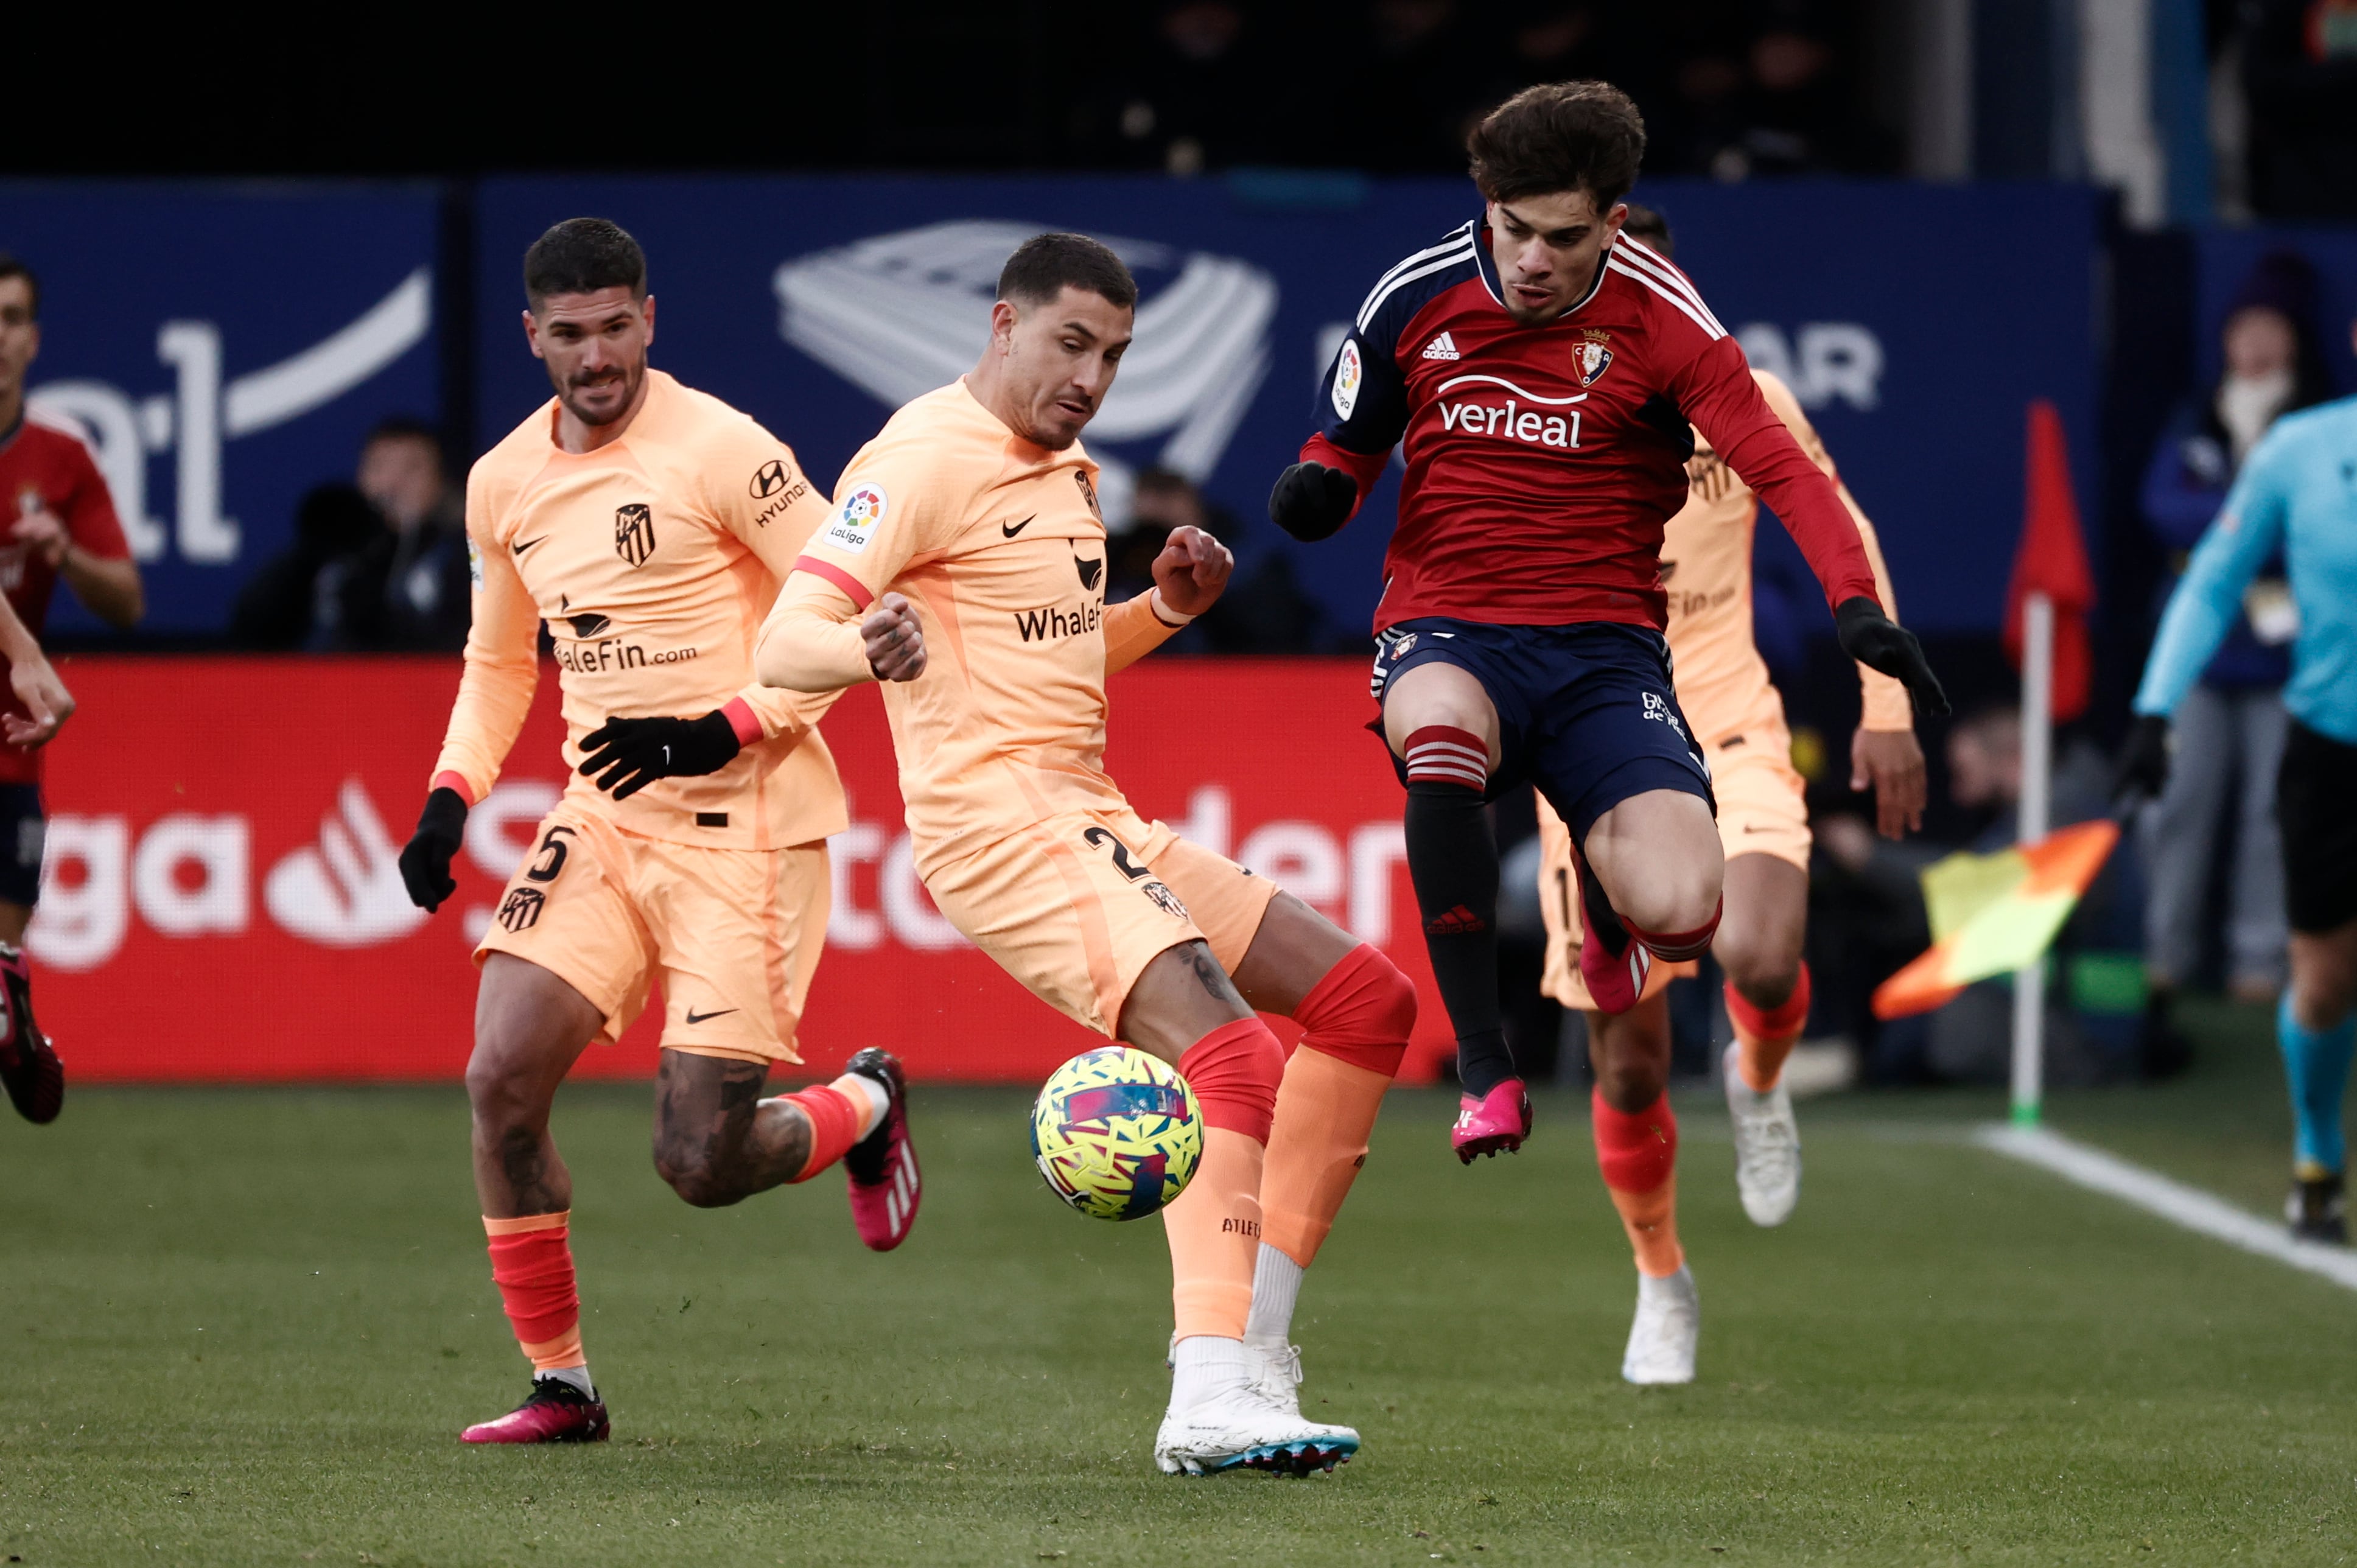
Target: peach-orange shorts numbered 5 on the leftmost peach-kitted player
732 933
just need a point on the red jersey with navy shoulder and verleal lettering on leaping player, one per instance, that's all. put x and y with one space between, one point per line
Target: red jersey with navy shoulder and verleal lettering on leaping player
1545 461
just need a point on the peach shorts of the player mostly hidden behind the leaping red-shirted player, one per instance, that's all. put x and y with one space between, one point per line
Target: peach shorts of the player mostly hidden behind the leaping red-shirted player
1762 810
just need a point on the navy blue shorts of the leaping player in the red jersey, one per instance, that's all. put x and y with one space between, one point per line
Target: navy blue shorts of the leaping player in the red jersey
1587 713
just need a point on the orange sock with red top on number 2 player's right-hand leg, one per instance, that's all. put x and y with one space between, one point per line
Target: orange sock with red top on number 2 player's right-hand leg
1359 1020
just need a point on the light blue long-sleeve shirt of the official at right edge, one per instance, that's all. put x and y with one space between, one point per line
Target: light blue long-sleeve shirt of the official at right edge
2297 494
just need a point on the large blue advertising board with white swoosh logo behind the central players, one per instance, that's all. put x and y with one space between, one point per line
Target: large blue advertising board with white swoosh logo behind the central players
1915 322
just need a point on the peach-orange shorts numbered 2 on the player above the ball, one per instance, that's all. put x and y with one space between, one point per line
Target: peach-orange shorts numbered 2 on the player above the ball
1081 902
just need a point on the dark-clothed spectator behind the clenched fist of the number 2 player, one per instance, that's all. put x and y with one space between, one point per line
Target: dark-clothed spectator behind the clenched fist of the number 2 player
1265 610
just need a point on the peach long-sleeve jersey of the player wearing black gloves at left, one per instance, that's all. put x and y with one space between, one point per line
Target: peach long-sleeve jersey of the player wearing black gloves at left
652 562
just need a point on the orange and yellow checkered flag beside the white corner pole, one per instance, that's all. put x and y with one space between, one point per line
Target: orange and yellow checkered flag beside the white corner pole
1995 914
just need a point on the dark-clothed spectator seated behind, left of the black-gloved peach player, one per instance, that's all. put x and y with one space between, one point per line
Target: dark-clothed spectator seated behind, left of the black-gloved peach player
376 567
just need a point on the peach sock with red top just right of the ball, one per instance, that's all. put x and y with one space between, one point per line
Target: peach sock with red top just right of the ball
1215 1225
